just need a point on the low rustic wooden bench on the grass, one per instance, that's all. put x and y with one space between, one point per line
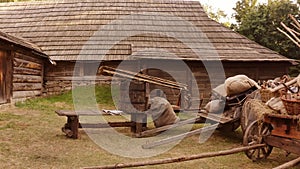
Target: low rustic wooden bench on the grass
138 122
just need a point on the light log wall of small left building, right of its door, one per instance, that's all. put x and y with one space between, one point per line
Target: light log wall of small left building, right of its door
28 74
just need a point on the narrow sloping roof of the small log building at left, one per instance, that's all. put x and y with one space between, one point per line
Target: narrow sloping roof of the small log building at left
22 43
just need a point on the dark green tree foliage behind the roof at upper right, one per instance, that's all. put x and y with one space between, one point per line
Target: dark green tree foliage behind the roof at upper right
259 23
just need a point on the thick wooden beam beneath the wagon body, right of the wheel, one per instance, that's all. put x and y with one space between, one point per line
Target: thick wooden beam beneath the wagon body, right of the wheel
289 145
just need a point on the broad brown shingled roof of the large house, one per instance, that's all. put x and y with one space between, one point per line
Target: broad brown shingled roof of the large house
65 29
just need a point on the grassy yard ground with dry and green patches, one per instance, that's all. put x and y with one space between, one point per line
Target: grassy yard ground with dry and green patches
31 137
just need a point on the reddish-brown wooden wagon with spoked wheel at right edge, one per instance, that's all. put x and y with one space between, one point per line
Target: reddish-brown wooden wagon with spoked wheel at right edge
273 130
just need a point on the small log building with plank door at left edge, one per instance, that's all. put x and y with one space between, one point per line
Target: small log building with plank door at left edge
21 69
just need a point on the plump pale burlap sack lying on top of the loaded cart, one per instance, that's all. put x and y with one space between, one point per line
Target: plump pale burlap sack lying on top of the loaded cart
239 84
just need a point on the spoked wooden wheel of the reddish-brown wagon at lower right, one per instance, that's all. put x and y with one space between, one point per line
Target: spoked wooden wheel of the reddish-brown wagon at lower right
254 135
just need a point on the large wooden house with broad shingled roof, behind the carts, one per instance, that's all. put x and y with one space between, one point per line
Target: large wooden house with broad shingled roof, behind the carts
80 34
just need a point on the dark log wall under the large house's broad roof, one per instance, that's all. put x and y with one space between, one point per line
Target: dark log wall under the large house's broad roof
59 77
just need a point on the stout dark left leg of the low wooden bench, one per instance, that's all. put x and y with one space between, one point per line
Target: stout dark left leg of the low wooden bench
71 127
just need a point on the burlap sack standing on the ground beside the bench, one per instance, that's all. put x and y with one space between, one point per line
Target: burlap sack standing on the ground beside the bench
162 112
